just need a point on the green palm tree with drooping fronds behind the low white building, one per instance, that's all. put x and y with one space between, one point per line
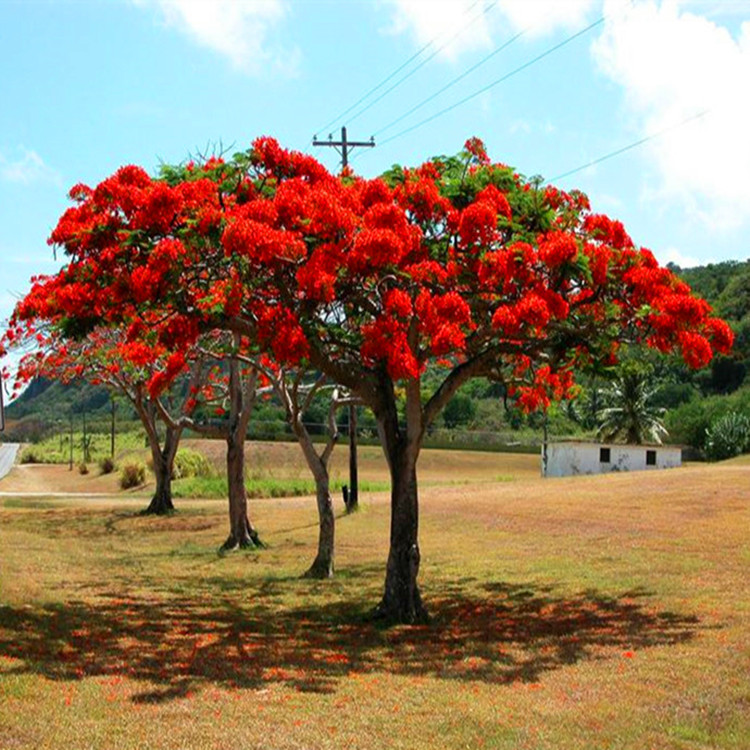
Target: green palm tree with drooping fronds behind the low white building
629 413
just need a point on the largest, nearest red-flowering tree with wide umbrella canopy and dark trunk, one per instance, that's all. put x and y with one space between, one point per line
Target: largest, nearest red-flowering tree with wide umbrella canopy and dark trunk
459 263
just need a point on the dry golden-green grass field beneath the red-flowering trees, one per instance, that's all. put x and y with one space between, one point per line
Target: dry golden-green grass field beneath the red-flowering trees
592 612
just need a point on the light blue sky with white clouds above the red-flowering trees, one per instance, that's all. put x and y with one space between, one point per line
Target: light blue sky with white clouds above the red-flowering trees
89 85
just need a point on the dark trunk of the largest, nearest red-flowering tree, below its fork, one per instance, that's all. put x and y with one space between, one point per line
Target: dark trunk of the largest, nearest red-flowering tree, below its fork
402 602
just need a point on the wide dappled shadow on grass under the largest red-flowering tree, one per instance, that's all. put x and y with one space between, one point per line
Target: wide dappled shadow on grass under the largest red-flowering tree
514 633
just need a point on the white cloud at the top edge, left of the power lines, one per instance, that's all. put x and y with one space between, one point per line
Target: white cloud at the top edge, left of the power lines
237 29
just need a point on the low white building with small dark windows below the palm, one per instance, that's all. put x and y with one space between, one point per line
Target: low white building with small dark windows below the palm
571 458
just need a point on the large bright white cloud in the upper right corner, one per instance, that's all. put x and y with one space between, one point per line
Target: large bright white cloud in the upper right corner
672 65
